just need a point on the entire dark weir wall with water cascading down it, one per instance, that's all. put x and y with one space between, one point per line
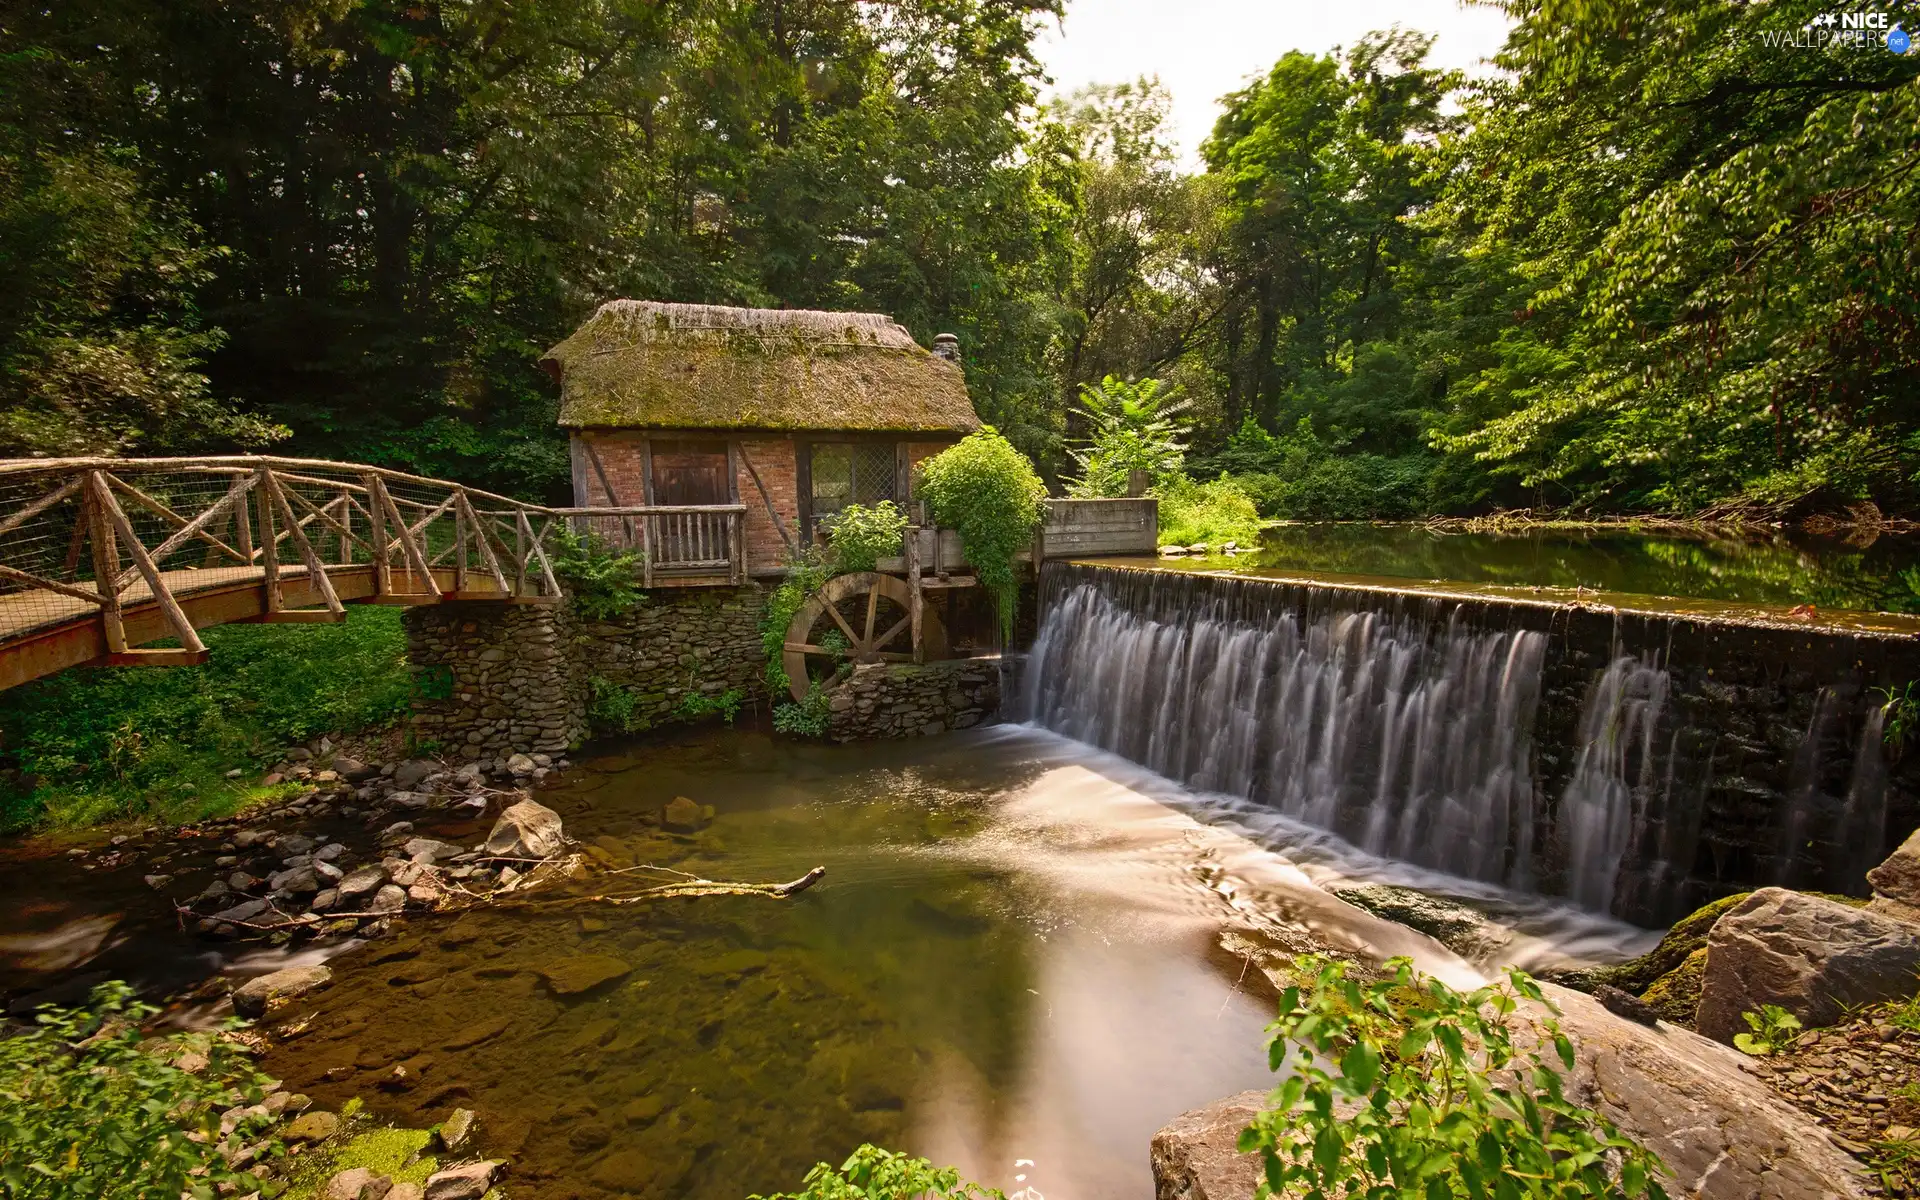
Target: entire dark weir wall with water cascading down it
1641 763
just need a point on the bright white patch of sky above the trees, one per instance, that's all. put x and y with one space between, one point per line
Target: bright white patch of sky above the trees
1205 49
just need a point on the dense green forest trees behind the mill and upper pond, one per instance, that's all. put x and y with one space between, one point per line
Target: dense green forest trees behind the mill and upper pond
1662 260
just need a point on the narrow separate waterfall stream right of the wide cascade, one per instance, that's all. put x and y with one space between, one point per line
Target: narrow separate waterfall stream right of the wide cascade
1620 723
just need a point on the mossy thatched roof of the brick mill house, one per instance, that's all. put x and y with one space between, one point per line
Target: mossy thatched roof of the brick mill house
638 364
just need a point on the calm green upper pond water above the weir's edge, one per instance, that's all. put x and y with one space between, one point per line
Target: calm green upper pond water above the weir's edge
1860 571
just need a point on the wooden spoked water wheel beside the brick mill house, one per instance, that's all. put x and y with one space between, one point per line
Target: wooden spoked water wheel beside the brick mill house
861 617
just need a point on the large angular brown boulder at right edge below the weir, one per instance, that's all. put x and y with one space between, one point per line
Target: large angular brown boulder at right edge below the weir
1812 957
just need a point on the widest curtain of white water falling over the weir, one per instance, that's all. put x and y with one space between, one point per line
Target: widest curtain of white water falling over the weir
1410 734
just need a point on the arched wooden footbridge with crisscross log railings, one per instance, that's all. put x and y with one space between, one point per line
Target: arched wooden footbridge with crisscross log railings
101 558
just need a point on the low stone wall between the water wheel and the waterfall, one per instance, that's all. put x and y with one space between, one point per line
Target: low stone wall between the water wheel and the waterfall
898 700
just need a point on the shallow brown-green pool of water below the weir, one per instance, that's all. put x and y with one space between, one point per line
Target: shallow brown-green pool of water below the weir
1011 967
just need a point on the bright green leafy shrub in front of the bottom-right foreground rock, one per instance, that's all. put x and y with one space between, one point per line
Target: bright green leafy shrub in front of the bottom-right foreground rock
1406 1088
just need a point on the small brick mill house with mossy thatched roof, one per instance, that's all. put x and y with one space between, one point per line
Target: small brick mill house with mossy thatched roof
719 441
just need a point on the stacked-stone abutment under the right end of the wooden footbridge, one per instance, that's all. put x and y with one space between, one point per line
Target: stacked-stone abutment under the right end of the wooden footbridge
494 679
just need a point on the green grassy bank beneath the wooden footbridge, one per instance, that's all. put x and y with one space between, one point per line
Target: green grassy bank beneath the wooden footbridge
95 746
